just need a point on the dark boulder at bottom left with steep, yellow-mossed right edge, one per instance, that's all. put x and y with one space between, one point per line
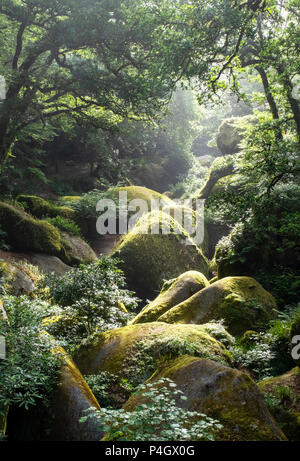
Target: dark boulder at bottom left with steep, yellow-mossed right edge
60 420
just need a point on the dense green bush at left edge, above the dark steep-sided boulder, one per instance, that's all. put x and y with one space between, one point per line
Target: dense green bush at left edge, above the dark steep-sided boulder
30 370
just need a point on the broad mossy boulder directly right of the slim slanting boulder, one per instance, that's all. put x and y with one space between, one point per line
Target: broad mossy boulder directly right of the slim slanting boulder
241 301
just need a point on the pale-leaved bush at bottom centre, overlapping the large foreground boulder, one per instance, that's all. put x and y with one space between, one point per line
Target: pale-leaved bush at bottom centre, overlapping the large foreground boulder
157 418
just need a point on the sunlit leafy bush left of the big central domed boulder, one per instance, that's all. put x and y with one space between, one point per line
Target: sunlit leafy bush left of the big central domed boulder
92 298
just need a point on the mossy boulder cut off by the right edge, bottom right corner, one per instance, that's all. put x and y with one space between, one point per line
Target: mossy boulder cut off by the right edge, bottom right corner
282 395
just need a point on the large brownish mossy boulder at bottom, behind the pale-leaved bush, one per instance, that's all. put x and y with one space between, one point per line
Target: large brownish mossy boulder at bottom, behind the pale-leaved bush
222 393
